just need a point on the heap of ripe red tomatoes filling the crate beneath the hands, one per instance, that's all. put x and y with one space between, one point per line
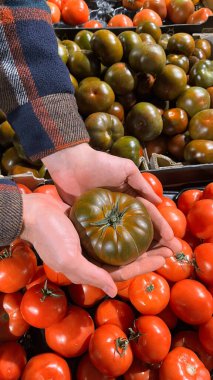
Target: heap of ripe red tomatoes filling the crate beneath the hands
159 327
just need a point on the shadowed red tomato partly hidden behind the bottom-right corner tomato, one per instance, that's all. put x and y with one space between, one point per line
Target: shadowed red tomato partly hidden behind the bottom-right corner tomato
190 339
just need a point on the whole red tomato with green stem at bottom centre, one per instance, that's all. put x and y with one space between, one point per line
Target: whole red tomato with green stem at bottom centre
109 350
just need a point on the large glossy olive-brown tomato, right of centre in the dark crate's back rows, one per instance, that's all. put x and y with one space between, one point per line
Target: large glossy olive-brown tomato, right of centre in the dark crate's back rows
149 58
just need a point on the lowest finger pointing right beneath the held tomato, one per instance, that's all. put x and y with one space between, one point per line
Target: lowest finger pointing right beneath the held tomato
142 265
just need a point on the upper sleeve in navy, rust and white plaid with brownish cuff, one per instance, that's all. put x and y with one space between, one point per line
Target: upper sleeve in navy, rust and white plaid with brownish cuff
35 88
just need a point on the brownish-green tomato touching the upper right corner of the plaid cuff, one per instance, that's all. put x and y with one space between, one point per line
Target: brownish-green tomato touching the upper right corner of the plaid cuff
94 96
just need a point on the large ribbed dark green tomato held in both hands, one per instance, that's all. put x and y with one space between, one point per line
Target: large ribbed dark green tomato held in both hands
114 228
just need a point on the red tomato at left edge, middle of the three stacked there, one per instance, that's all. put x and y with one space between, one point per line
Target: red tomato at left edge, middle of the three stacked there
12 324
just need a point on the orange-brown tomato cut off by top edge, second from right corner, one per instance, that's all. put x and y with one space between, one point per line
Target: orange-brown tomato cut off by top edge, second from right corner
180 10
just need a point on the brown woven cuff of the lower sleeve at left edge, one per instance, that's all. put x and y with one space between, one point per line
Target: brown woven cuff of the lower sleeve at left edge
10 211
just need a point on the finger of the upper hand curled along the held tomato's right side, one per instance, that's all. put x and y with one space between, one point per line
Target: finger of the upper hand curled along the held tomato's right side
160 224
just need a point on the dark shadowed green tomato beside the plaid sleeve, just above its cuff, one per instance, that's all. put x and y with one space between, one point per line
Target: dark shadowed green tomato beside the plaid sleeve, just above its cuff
83 64
